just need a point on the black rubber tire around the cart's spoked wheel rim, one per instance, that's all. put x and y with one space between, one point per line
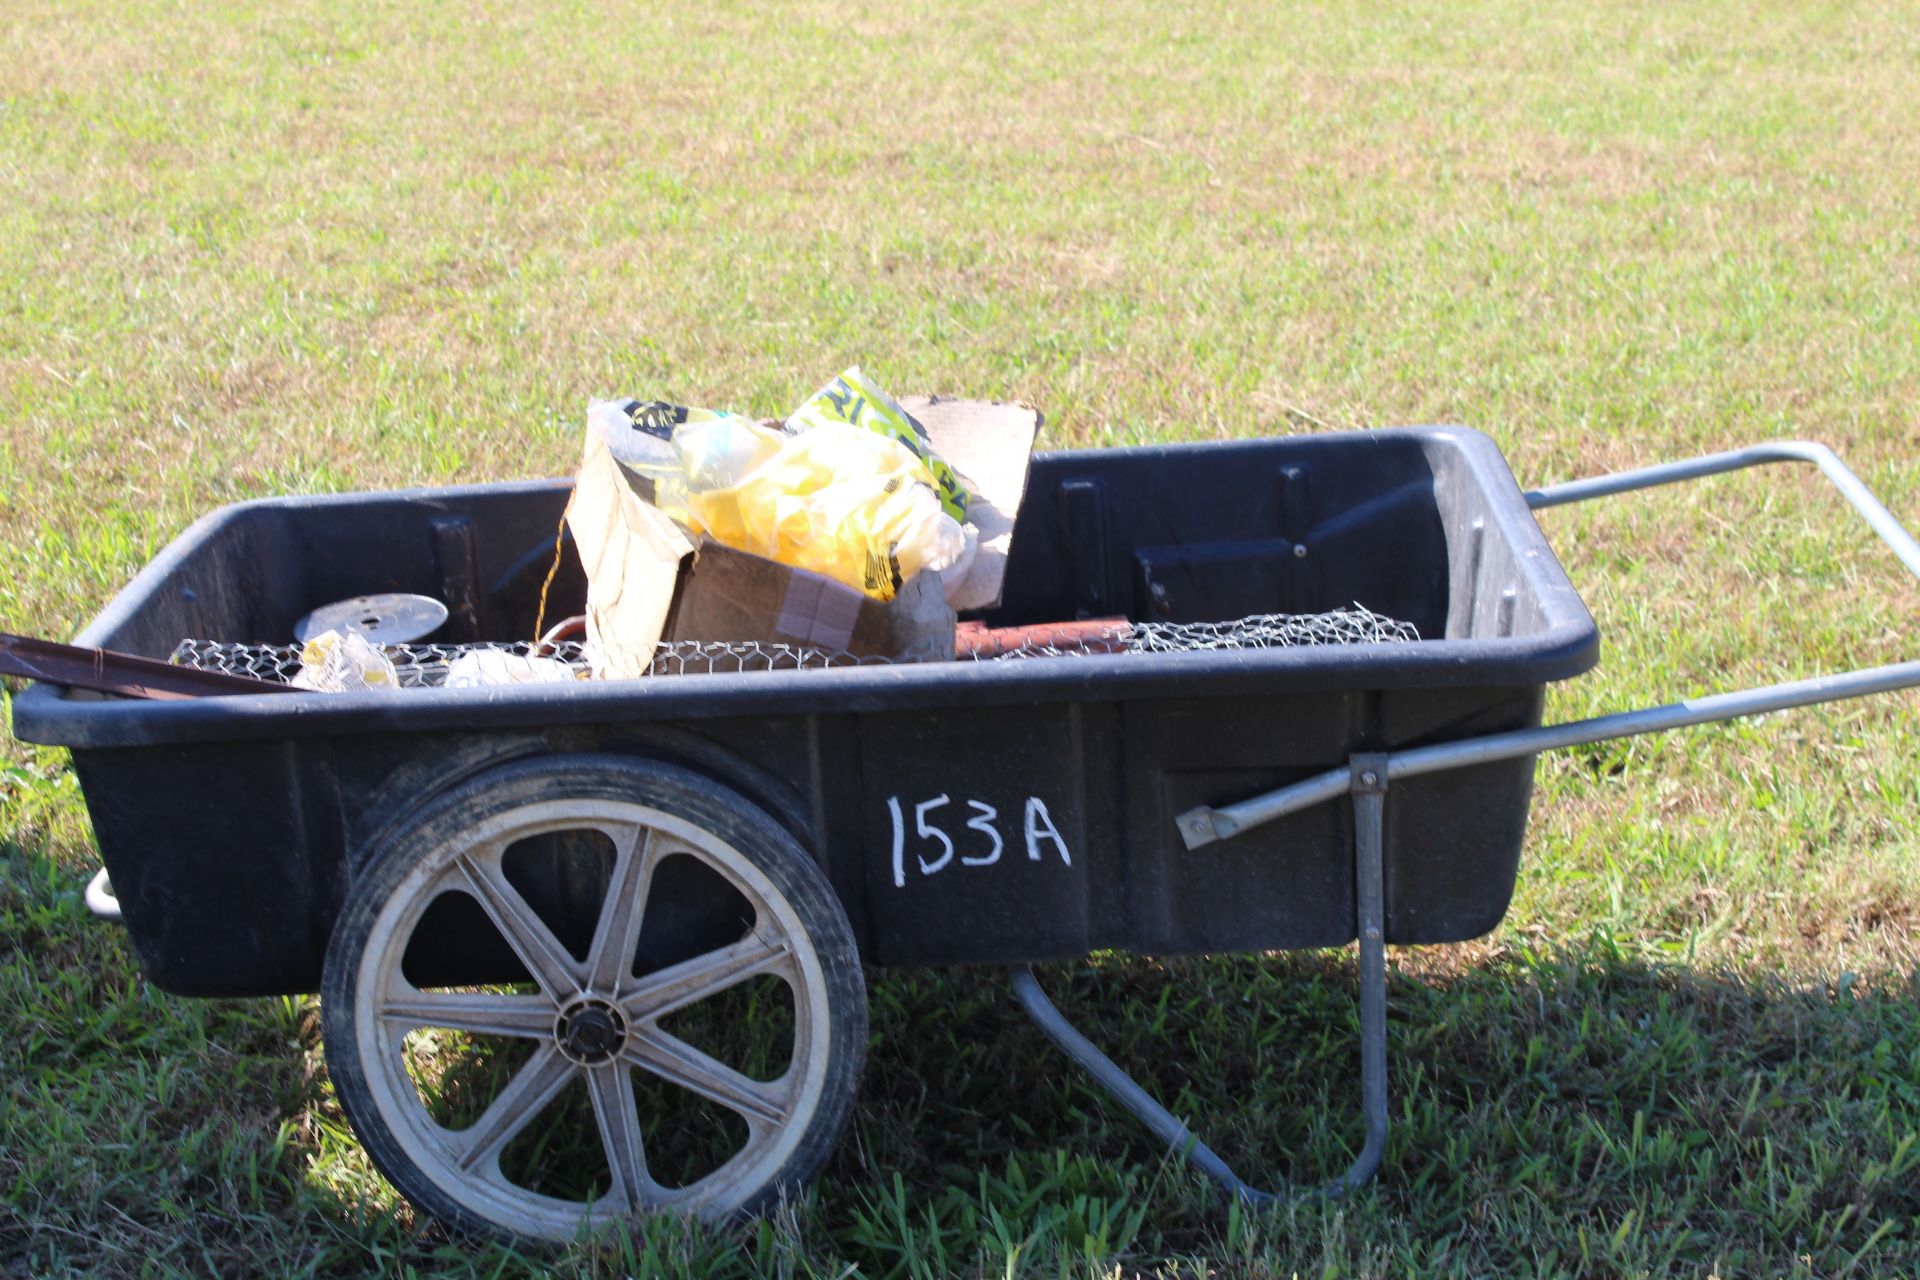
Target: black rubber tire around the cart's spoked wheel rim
683 794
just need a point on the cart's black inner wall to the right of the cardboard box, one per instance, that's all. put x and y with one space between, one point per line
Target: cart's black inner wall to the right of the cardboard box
1232 531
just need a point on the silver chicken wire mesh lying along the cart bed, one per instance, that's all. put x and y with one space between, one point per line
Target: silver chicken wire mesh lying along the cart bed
425 667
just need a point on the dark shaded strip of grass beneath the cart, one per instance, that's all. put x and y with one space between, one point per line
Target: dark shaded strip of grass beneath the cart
1552 1112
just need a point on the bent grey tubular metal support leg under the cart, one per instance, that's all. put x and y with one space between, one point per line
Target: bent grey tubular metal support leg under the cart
1370 895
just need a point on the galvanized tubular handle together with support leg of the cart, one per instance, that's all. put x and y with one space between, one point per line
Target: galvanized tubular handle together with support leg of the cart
1370 776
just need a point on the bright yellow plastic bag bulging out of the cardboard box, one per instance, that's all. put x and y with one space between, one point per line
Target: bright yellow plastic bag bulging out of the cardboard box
836 500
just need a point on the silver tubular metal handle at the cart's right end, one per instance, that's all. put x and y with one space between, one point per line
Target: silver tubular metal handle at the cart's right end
1203 826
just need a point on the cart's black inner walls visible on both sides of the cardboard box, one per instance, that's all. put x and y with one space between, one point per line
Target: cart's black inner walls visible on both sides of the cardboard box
1176 534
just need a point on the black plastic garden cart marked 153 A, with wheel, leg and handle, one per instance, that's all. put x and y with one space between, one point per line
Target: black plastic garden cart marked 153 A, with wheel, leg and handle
967 813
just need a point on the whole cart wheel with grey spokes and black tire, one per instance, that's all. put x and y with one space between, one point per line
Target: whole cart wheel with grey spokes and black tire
623 951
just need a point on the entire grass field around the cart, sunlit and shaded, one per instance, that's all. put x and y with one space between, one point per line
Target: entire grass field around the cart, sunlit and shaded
362 247
